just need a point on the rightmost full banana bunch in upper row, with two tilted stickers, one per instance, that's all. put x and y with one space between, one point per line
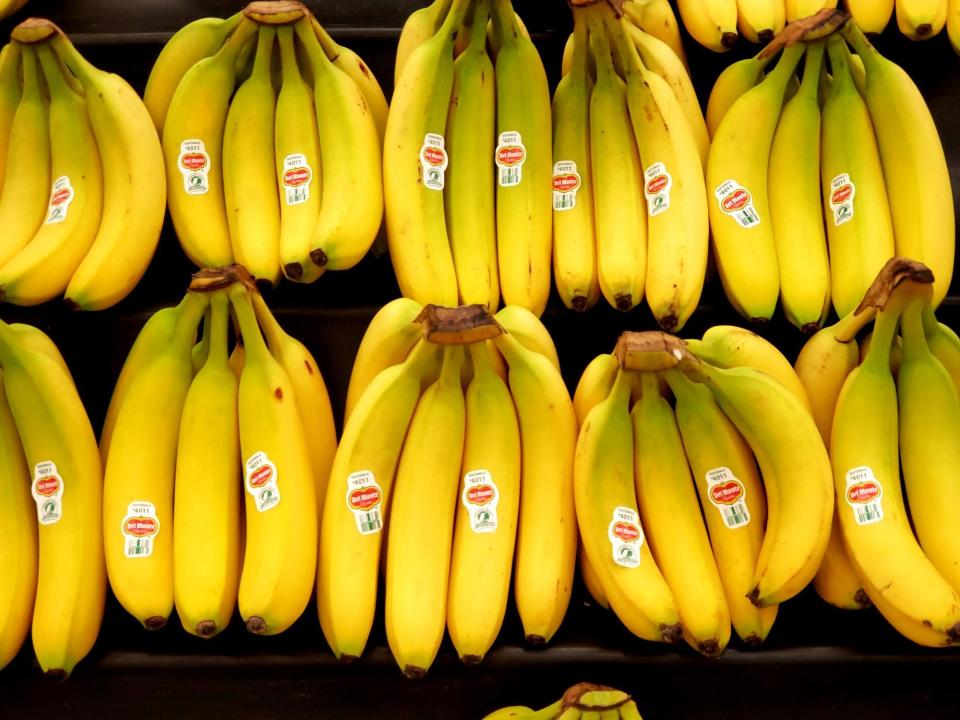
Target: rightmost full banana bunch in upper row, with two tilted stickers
810 198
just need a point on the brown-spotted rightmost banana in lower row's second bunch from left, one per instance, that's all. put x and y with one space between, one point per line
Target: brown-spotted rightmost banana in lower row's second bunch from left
310 391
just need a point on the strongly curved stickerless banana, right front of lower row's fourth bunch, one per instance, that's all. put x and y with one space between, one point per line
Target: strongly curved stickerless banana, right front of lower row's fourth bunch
796 473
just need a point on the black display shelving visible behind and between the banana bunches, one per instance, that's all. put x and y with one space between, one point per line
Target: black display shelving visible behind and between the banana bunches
817 661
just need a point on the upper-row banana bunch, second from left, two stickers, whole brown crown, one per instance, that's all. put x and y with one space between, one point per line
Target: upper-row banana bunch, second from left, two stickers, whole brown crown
272 165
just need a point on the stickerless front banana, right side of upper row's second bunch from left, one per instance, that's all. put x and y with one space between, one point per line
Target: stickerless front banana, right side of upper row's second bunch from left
352 205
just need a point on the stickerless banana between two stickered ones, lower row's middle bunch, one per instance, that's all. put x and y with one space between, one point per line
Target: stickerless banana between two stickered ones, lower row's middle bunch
422 515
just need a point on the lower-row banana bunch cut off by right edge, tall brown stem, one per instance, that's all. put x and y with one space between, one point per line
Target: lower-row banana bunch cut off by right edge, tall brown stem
881 413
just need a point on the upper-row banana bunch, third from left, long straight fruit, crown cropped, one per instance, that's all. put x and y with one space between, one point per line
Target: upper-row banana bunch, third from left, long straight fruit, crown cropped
466 164
